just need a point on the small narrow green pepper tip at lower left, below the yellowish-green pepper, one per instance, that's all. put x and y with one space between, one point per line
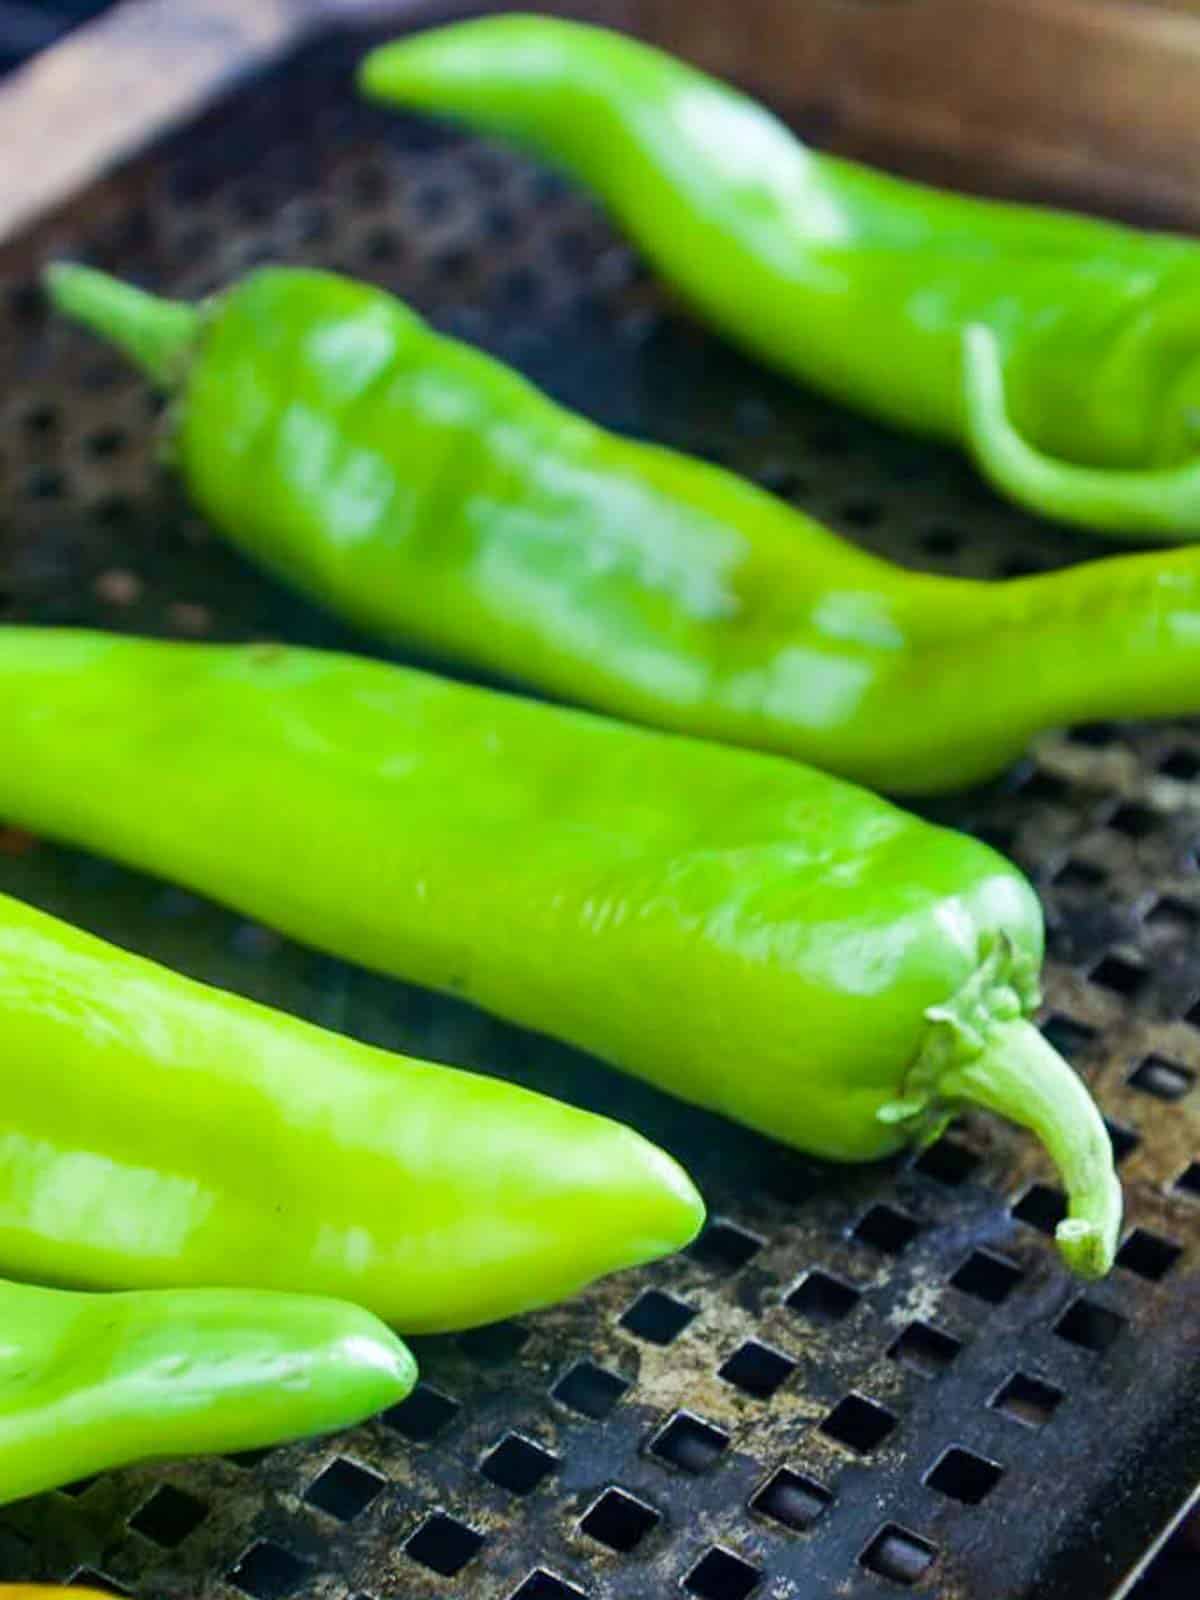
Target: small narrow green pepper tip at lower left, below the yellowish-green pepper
97 1382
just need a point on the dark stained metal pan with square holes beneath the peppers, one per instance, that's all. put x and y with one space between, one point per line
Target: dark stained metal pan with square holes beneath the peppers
860 1382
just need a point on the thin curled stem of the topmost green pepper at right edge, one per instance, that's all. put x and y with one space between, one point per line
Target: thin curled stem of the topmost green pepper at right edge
1138 505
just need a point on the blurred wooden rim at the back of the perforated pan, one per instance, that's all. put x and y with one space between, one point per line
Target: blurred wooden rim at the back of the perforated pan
1086 102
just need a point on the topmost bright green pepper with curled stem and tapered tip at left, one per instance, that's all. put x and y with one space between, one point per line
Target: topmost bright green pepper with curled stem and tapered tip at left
1063 353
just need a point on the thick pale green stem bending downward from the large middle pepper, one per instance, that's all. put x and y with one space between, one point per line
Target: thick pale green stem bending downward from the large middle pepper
1023 1078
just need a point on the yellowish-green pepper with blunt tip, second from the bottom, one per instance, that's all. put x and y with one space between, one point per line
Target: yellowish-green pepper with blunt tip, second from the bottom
159 1134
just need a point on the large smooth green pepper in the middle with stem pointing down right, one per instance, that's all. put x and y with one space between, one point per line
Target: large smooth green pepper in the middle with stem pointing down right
745 932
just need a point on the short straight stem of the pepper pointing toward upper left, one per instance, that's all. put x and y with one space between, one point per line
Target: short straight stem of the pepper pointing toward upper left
156 334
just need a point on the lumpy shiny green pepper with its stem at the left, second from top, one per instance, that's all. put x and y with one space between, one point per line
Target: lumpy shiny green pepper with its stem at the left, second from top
425 490
